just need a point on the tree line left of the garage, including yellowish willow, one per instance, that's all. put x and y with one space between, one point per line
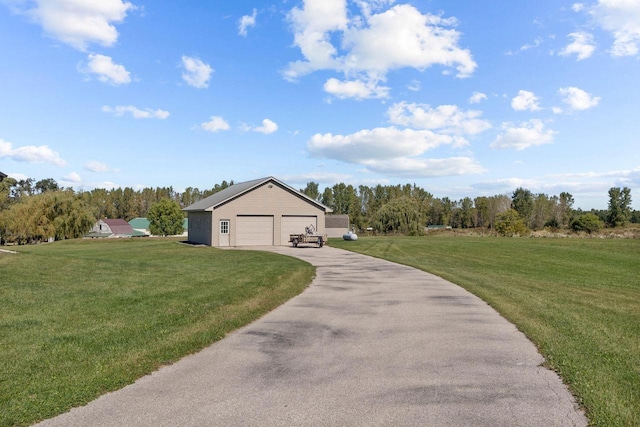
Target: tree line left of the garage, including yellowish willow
34 211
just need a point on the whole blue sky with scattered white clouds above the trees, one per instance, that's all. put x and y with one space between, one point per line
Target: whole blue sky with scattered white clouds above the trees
463 98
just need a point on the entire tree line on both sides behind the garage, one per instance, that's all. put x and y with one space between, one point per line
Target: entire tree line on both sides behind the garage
33 211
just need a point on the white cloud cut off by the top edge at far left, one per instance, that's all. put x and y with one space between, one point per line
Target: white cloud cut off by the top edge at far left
77 23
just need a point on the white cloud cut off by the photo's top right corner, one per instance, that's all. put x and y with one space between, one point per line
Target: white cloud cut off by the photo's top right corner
622 19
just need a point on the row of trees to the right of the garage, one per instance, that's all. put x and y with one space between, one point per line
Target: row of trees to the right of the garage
407 209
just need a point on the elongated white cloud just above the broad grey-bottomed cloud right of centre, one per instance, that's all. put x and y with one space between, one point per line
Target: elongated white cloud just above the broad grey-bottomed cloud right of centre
444 118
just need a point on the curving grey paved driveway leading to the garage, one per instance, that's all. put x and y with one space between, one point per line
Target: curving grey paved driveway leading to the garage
369 343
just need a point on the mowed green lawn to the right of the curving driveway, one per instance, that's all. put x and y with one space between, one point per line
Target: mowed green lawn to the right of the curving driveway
578 300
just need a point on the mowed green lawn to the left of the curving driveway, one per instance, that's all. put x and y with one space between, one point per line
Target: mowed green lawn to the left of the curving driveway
81 318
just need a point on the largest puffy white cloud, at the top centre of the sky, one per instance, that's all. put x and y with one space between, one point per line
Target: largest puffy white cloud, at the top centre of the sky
372 44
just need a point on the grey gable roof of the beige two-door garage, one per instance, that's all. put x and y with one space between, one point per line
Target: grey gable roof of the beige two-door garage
237 190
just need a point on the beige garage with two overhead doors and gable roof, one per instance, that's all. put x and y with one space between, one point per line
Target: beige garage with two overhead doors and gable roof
262 212
